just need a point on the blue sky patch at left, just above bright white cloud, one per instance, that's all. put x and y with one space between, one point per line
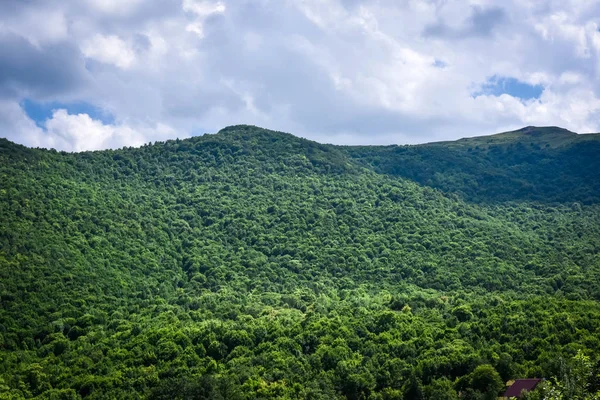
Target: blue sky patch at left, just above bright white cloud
41 111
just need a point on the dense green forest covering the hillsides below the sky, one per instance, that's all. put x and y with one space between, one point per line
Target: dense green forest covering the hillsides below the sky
253 264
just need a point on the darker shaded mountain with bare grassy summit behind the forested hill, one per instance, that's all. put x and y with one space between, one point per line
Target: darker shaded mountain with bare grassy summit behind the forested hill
546 165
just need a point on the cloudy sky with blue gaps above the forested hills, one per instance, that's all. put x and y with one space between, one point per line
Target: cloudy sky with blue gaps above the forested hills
80 75
